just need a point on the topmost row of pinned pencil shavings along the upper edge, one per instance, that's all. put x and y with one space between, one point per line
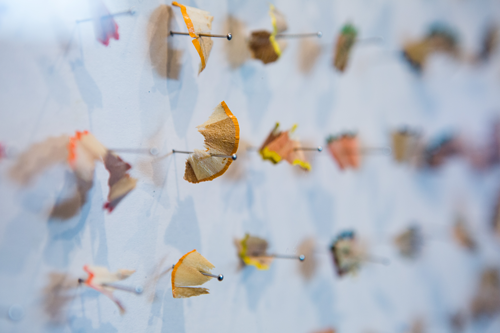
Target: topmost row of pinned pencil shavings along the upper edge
268 46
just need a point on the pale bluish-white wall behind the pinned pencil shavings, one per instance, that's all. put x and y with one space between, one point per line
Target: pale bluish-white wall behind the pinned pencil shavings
120 95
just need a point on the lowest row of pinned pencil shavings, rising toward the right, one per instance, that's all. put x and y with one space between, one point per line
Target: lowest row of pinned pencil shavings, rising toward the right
348 253
